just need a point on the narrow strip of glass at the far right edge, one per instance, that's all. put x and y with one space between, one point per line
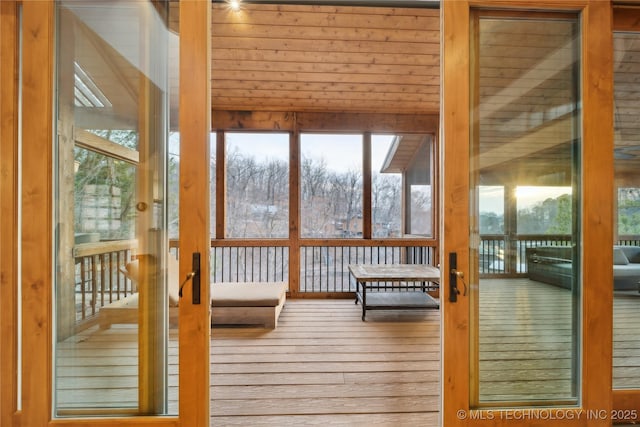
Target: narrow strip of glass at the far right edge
626 252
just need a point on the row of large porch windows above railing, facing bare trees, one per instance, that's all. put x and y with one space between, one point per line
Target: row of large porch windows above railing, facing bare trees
351 185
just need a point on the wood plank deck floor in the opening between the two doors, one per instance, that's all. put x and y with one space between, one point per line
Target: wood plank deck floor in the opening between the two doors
324 366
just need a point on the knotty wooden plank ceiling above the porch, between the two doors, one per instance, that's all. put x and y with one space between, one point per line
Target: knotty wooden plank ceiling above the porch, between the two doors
325 58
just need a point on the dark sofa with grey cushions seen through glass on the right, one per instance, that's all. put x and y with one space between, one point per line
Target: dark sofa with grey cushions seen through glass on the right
553 265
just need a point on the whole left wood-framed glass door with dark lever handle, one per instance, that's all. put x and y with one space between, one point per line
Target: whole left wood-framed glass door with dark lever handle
105 327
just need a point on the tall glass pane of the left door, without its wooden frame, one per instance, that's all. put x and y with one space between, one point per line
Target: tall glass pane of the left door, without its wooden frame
116 281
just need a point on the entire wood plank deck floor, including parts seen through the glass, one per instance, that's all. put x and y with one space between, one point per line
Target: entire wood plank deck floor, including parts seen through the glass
324 366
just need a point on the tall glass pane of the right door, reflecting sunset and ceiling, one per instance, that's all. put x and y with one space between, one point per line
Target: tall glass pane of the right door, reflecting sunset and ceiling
526 141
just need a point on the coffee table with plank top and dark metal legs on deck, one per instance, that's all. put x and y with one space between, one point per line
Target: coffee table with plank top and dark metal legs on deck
398 286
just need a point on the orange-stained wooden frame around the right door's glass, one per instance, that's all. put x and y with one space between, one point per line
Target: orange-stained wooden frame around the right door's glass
596 221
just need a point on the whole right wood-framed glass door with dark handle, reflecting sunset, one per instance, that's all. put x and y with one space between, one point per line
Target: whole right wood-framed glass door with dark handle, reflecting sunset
522 237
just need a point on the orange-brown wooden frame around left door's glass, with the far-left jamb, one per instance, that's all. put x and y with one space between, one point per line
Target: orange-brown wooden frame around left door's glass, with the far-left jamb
38 44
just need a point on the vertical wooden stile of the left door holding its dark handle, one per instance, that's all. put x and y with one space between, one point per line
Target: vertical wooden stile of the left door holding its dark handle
195 129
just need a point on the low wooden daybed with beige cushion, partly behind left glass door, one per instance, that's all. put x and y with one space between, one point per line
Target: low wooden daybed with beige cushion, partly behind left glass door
237 303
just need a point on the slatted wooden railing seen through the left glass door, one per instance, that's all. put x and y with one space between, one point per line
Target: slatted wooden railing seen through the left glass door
100 278
